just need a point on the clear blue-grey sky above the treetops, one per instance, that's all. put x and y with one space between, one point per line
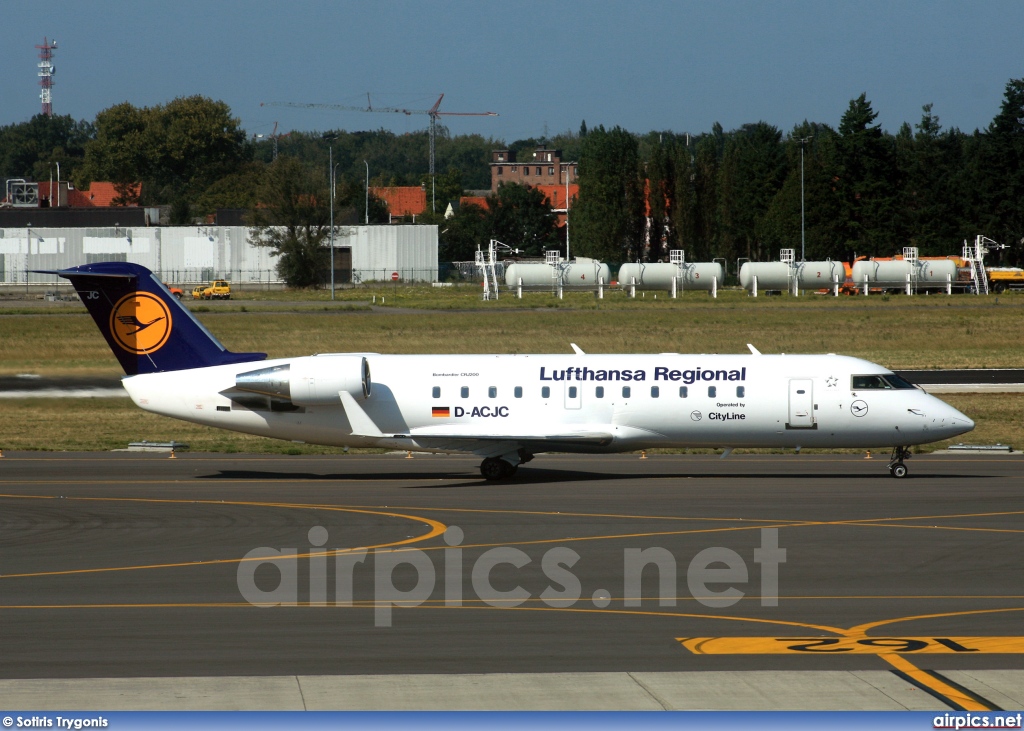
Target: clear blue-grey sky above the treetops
543 67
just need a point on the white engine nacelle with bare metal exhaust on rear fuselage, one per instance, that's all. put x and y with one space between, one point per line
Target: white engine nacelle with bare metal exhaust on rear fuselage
311 381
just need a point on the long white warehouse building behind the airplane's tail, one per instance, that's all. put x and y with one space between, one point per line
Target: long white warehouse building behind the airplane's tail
195 254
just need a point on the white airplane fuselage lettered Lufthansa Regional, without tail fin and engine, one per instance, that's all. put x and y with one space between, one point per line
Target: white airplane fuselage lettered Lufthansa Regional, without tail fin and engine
489 405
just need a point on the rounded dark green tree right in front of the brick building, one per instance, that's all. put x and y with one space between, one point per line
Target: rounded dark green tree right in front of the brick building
521 217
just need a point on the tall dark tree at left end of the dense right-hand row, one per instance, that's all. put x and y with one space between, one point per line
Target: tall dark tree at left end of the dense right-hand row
608 219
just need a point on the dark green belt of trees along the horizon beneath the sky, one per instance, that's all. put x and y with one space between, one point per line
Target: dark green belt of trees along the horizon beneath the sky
716 195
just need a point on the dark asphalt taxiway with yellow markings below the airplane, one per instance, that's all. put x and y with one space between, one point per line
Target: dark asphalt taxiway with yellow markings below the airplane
143 567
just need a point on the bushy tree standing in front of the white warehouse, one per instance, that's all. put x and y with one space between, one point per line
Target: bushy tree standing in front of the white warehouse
292 218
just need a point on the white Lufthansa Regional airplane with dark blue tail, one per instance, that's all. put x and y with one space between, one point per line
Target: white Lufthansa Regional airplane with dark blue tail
504 409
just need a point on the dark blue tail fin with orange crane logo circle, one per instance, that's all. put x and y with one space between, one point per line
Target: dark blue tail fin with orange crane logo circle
145 325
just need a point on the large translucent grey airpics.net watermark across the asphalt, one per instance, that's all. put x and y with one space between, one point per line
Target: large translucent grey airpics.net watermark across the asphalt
713 576
